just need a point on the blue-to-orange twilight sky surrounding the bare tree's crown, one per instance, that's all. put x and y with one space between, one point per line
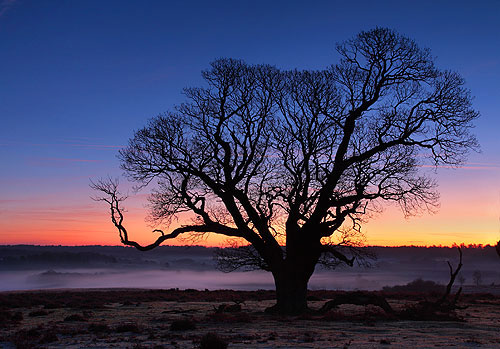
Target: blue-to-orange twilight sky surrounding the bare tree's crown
78 77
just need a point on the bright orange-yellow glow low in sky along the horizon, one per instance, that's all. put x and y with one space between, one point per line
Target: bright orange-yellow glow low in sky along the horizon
387 229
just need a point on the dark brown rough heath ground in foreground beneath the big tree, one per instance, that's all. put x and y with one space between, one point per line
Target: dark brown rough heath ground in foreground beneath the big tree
182 319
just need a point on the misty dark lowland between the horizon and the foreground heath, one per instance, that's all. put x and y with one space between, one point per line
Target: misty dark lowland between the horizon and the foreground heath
37 267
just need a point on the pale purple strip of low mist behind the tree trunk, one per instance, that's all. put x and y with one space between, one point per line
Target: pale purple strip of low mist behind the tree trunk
186 279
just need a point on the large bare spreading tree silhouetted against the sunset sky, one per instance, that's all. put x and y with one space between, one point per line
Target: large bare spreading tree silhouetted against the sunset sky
292 161
